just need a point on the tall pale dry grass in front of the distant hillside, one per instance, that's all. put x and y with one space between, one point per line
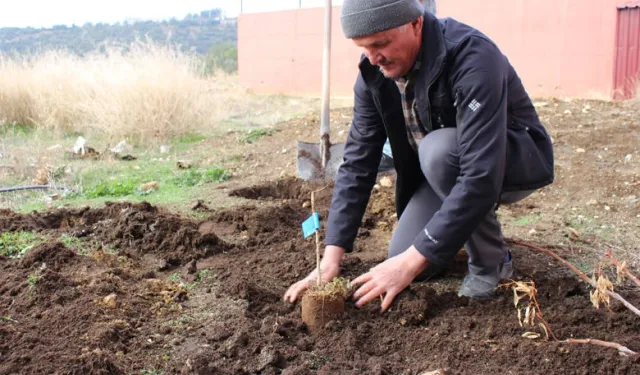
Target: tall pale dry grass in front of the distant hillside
149 93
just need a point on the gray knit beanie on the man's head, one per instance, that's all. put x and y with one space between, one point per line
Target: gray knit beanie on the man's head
366 17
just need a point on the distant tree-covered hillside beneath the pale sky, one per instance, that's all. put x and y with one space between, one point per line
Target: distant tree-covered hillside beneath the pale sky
196 33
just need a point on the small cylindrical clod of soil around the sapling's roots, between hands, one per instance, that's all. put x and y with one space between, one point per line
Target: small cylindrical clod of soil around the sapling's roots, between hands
320 308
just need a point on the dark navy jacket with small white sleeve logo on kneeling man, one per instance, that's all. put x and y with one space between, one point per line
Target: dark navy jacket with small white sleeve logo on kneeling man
467 83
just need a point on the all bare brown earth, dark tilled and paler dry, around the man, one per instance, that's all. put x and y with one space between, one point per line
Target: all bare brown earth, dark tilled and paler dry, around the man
151 292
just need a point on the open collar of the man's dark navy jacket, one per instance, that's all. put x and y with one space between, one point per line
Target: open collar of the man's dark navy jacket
433 55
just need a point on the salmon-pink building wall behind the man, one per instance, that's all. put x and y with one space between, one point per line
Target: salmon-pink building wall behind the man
559 47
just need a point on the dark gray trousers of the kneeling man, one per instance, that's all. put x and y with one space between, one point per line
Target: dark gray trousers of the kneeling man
439 162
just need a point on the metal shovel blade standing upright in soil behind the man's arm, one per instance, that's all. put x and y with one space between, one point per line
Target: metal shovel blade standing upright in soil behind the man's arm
309 161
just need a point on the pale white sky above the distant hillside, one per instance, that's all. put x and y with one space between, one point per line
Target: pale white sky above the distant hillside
46 13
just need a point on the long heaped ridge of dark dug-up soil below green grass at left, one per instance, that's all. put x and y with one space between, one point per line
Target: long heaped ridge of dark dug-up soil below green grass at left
134 228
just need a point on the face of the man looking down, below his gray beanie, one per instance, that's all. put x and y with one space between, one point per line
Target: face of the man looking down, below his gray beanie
393 51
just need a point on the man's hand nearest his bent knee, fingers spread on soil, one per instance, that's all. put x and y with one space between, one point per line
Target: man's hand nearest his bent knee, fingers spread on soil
389 278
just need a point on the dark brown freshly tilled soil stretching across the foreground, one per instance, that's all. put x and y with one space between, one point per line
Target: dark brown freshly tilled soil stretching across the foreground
168 316
